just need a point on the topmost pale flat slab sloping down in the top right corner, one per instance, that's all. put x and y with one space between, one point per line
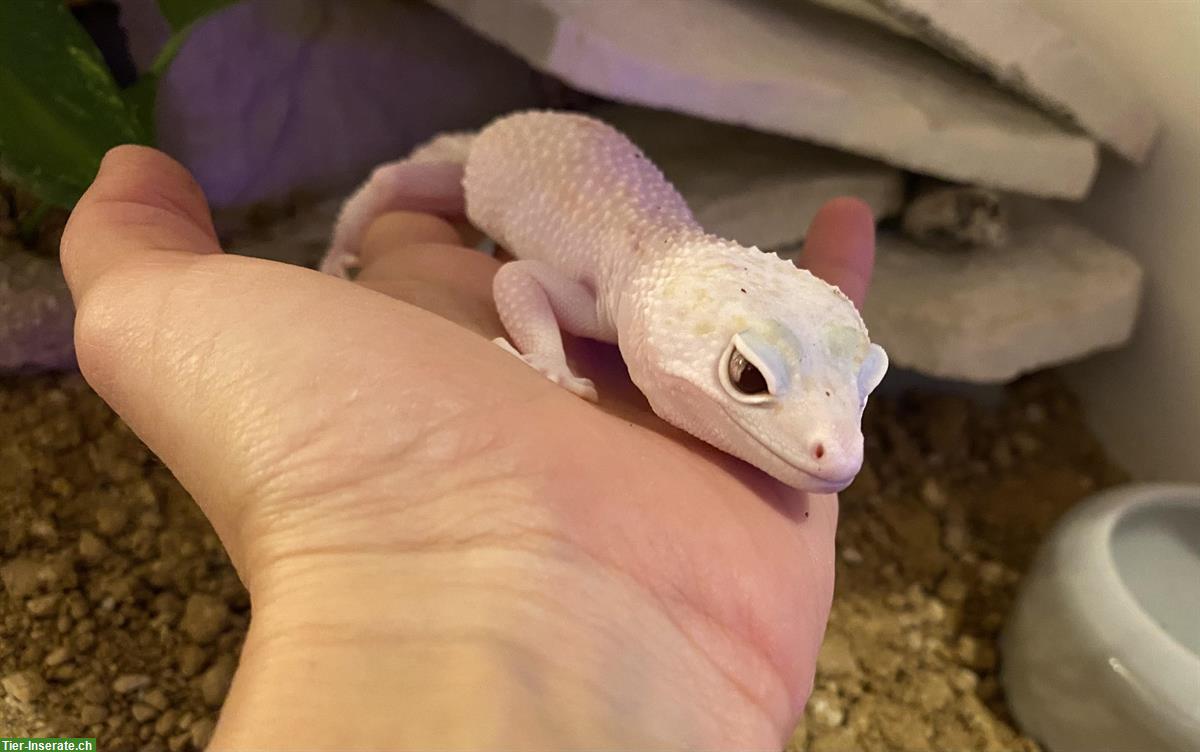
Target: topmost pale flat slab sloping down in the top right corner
1030 55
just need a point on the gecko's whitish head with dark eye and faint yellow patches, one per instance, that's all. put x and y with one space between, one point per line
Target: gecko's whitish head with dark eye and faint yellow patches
778 380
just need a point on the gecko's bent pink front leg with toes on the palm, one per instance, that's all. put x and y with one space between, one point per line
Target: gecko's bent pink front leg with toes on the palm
537 304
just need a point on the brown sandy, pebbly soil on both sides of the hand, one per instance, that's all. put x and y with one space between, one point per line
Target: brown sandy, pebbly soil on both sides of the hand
121 617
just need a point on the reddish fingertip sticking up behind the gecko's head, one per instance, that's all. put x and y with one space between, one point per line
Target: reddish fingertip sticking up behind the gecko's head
841 246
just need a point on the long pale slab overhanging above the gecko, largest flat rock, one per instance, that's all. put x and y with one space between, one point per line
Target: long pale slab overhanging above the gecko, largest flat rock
800 71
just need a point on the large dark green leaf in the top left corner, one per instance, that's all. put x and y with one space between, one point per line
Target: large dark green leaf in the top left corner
62 109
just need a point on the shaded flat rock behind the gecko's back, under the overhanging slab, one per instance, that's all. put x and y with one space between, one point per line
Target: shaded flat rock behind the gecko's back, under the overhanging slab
758 189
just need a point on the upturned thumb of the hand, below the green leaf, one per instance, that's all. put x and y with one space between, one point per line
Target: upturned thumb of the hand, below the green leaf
143 206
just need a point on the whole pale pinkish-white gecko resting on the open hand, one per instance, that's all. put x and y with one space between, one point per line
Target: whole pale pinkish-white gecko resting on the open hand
735 346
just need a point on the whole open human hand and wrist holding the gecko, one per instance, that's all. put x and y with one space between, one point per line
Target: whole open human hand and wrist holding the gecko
443 549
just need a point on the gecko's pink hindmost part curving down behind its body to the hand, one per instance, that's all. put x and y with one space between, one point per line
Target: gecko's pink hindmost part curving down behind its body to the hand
429 181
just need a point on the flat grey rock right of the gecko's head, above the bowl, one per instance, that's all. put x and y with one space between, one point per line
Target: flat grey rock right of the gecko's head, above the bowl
1054 294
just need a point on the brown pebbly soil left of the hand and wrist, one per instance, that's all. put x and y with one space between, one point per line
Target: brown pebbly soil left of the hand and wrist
117 597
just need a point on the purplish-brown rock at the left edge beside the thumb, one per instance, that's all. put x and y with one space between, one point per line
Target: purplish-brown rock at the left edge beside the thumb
37 314
